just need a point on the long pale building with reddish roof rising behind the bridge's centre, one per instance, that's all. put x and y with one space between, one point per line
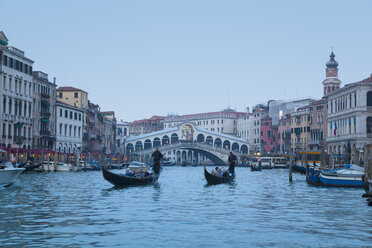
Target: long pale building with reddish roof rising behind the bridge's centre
224 121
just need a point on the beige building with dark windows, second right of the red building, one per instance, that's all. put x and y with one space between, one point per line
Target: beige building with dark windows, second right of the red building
300 128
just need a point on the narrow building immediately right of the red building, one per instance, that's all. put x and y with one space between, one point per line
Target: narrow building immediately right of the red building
284 134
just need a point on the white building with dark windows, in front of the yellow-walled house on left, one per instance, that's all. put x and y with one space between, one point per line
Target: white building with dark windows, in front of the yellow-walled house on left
69 128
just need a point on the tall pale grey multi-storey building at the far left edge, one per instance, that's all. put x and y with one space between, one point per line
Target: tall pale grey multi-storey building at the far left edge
16 96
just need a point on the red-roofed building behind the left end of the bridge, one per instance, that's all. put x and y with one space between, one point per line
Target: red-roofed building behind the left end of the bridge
155 123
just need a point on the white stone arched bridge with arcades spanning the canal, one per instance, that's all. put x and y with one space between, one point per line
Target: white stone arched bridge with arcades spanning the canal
187 144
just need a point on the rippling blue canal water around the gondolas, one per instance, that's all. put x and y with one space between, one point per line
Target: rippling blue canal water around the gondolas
261 209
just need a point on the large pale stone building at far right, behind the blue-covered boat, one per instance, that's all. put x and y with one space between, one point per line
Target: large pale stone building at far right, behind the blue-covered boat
350 118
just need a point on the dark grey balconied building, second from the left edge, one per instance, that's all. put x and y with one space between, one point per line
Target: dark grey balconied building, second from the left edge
44 112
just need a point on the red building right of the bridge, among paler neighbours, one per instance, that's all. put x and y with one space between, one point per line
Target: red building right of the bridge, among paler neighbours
269 137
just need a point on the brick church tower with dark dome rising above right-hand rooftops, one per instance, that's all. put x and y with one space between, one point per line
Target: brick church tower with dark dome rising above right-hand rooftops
331 83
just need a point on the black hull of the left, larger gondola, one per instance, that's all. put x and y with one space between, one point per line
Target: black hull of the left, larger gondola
121 180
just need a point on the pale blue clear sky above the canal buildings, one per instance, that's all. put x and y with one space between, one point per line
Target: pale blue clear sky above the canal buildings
144 58
